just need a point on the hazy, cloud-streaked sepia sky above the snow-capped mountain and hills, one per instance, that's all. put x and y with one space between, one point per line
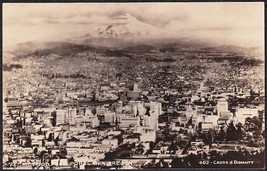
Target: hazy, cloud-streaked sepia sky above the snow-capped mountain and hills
239 24
